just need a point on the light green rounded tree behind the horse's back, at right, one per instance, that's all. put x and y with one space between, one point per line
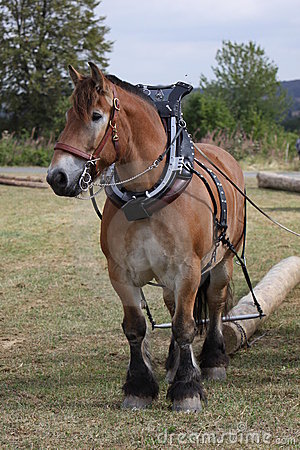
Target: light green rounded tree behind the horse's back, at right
247 81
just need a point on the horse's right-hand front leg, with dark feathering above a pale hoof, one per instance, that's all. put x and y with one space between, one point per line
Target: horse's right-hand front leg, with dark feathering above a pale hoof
185 390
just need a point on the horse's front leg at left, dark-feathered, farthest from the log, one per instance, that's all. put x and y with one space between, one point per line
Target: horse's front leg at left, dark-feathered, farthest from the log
140 387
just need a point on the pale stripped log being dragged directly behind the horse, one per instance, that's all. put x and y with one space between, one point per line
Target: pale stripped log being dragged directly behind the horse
270 293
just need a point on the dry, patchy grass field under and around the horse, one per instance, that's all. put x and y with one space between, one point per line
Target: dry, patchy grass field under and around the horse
63 355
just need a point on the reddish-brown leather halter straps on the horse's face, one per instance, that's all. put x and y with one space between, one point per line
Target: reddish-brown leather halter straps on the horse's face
111 131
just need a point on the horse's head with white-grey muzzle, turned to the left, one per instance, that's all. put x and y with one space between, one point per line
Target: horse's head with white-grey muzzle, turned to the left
90 130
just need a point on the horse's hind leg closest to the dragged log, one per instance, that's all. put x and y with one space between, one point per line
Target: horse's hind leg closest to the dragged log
213 358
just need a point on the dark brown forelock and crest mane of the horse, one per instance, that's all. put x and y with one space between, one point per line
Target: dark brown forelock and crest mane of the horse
85 94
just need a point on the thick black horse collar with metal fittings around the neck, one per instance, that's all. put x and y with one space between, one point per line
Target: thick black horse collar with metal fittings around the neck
179 155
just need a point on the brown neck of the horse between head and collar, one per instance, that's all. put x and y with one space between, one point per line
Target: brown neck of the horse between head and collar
145 141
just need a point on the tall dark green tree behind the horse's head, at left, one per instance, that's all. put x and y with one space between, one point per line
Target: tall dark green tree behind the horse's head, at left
39 39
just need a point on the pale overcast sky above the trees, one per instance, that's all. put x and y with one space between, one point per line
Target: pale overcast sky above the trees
164 41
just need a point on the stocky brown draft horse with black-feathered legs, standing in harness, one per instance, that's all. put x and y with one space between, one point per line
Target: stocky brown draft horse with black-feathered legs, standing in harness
171 247
